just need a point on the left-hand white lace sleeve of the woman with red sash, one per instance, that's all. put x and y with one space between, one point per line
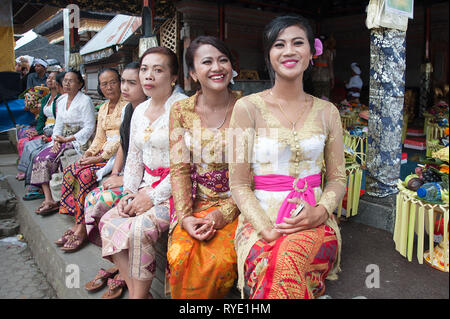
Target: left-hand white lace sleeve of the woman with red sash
134 166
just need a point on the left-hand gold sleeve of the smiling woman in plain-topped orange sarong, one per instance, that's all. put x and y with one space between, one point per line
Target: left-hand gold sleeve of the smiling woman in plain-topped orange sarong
180 166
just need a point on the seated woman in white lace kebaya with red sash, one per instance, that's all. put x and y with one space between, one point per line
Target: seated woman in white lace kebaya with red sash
130 230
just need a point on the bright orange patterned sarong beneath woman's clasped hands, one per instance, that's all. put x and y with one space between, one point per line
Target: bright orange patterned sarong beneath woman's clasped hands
202 269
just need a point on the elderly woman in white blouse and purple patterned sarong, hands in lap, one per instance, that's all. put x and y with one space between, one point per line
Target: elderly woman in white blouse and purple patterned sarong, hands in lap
74 126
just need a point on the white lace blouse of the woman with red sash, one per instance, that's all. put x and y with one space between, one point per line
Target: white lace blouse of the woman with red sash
149 146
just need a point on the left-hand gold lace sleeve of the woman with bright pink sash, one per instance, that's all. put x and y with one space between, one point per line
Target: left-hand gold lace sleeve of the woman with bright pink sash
243 125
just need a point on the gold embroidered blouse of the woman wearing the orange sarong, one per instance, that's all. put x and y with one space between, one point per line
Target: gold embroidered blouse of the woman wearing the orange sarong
204 148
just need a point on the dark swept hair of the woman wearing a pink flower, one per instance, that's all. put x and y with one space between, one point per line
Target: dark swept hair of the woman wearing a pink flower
275 27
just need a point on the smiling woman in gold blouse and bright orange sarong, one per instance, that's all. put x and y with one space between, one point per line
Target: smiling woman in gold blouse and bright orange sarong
201 255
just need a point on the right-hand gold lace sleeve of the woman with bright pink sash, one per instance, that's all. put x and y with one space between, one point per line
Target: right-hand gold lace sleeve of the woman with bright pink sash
335 176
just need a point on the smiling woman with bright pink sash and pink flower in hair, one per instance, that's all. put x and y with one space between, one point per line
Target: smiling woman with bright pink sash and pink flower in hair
287 136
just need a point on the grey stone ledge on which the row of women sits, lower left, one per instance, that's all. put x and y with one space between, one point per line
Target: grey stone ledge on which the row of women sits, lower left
40 232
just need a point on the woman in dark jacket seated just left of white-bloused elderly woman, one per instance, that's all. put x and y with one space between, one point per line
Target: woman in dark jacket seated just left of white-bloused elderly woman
44 131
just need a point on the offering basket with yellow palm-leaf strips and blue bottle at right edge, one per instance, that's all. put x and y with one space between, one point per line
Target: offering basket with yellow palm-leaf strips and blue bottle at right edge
422 207
